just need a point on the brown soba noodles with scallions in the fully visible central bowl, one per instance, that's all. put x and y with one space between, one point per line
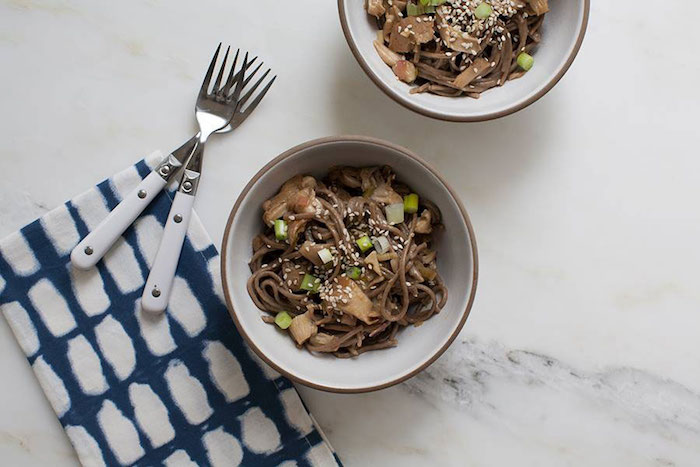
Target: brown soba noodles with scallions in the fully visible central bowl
360 294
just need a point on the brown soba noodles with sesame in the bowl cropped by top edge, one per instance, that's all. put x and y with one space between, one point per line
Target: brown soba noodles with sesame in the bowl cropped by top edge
452 48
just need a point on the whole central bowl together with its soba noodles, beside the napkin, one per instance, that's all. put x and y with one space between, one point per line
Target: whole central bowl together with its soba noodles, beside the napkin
349 264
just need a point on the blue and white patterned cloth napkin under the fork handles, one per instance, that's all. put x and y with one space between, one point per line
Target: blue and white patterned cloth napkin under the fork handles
132 388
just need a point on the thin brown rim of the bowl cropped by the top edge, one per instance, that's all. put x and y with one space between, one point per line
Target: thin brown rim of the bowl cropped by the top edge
450 118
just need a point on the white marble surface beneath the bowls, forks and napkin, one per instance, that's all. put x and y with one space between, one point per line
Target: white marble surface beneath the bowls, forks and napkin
582 347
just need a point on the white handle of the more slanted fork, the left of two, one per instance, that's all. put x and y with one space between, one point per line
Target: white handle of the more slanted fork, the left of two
98 242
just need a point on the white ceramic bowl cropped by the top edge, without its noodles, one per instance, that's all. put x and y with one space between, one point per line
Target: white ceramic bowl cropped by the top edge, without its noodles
563 31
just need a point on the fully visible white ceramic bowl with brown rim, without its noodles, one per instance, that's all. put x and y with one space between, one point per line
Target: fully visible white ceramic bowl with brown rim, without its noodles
418 346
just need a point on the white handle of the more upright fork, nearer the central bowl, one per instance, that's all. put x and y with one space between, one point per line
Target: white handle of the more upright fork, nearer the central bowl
156 293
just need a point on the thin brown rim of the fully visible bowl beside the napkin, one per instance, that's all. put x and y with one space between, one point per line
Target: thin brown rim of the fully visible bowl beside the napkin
291 152
